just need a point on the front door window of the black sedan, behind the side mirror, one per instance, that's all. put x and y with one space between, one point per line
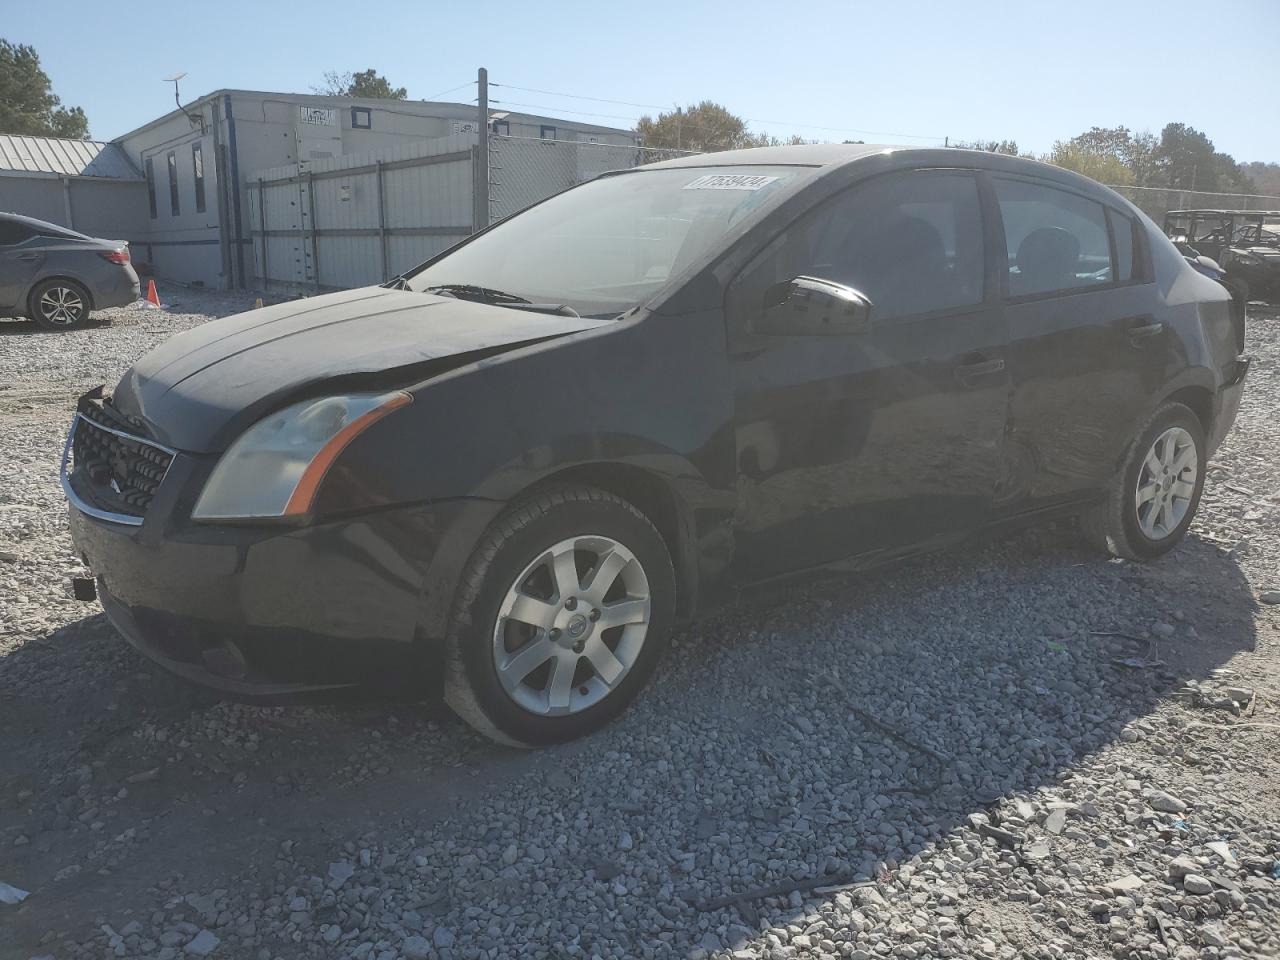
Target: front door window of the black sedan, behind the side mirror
912 244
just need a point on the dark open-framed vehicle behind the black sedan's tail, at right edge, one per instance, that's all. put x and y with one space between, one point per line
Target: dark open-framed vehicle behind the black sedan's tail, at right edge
1246 244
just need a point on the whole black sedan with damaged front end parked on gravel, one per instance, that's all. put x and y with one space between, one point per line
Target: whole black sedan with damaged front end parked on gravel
513 470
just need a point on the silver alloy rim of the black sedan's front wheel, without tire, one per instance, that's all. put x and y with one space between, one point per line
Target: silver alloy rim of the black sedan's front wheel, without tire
572 627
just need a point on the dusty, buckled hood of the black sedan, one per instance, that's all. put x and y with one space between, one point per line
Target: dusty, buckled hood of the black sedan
200 390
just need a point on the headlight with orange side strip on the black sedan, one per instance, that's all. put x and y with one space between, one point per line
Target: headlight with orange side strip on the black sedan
276 468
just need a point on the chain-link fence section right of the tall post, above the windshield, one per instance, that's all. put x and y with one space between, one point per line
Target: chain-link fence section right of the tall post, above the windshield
527 170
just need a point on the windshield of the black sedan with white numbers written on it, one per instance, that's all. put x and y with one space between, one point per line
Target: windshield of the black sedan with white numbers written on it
607 246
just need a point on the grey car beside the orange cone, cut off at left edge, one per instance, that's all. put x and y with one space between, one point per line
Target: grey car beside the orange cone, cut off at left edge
57 277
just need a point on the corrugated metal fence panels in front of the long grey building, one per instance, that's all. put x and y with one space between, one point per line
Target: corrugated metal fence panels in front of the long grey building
360 220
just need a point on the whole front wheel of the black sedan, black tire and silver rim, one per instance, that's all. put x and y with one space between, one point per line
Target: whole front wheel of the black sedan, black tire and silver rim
513 612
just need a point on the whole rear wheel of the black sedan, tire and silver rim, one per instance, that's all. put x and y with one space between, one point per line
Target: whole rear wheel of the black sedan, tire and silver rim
1119 525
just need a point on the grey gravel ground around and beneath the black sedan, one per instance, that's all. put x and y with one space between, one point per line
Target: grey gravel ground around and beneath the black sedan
1013 751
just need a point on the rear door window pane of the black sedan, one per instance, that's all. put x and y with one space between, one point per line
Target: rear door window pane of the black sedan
1057 241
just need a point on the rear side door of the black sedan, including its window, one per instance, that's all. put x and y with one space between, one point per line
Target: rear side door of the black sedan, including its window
1089 351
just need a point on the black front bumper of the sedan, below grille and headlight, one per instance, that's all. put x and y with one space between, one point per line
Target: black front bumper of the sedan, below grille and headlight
275 615
